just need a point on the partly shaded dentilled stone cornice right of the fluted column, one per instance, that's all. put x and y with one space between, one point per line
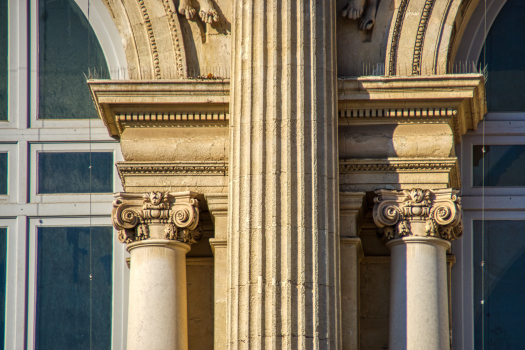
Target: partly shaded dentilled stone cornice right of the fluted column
455 99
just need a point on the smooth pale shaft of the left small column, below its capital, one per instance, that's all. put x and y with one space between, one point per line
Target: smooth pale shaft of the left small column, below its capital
158 297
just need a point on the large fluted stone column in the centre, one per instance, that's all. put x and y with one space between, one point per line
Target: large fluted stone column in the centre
283 241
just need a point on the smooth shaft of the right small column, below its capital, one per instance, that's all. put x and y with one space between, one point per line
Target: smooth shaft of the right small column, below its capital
418 294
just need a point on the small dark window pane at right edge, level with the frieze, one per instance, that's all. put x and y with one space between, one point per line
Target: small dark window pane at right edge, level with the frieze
504 165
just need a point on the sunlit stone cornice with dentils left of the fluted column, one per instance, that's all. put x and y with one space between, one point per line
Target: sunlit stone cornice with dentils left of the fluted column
160 103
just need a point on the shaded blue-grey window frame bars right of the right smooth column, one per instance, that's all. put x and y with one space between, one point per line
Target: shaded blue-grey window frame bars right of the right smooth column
500 203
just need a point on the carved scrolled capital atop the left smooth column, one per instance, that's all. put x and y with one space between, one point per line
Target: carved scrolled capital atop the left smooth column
173 216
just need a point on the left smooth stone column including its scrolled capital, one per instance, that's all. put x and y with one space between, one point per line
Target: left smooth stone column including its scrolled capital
158 229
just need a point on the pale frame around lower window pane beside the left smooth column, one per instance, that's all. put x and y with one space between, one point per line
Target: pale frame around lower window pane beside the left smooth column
119 312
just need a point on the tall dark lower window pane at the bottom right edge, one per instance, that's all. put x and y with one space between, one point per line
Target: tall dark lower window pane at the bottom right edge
499 325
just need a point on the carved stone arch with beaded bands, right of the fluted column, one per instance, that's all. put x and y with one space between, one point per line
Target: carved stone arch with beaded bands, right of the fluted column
425 34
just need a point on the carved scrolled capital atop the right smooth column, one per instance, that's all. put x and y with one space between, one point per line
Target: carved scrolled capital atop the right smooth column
417 212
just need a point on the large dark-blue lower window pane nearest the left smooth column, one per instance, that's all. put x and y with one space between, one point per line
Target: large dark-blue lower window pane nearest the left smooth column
70 307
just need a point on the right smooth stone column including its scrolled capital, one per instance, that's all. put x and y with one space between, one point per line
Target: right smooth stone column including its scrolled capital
419 225
